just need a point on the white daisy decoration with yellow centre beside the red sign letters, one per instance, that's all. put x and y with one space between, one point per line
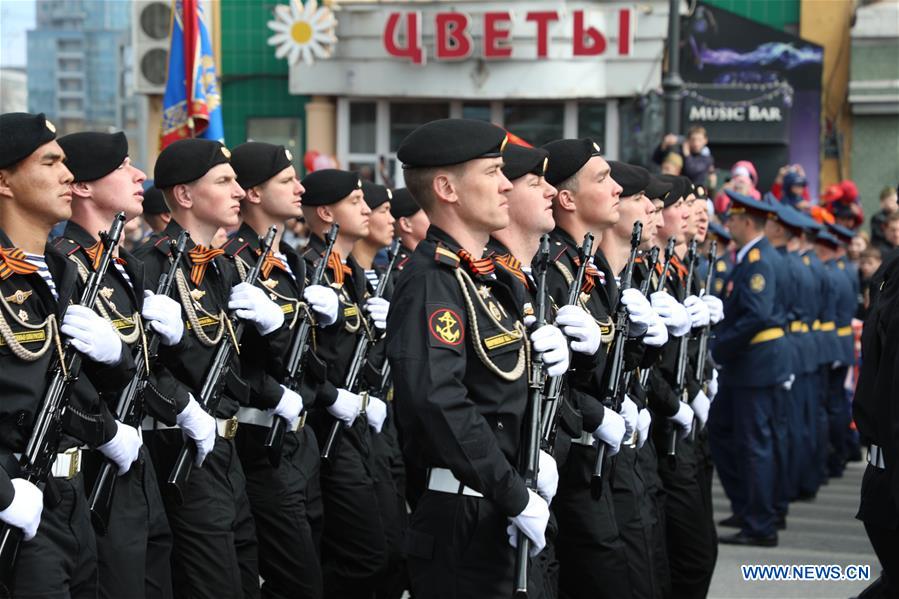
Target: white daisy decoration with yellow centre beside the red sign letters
303 31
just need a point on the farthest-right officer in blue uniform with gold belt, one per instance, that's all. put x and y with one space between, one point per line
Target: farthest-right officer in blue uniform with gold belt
839 326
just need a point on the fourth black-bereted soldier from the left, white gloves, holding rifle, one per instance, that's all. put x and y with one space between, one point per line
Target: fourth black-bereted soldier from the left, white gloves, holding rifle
286 501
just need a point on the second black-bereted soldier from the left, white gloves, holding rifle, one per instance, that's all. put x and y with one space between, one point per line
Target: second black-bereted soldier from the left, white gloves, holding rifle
135 549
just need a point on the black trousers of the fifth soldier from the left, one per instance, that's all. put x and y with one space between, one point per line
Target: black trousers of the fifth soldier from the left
354 540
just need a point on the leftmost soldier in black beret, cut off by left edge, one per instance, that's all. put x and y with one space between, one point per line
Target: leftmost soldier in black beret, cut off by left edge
37 284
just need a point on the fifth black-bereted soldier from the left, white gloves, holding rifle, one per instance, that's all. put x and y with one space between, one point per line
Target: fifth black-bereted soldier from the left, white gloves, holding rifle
354 542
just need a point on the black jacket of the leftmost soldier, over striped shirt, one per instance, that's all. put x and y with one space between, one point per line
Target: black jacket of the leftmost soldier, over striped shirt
27 303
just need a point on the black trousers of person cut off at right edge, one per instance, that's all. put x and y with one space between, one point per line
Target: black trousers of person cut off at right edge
878 510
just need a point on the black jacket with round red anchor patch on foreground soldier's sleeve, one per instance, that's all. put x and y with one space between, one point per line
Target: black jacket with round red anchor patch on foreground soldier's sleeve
459 356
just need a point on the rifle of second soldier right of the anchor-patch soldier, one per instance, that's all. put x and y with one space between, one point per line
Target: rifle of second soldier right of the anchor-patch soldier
614 391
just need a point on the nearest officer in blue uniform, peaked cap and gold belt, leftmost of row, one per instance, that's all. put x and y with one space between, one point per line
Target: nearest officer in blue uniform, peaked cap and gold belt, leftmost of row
755 364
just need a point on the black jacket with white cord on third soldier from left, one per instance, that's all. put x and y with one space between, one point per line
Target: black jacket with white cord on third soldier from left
189 361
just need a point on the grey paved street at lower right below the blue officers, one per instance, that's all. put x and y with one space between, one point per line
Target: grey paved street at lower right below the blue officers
823 532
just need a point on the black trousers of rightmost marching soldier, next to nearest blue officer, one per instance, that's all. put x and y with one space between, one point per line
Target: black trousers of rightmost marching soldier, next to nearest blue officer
690 532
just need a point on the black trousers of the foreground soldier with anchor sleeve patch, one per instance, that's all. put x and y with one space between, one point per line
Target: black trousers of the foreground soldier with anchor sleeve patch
457 548
